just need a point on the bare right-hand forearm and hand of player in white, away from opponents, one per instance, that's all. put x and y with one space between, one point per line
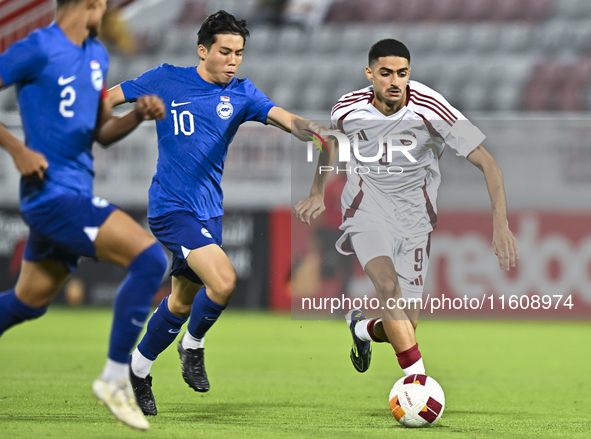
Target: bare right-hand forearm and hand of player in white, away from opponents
504 243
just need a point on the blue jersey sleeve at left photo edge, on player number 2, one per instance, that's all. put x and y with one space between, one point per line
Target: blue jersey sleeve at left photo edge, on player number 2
23 61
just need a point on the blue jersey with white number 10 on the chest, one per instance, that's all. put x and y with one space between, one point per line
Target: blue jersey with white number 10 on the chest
202 119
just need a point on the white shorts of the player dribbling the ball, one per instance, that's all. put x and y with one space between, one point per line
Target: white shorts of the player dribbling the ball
409 255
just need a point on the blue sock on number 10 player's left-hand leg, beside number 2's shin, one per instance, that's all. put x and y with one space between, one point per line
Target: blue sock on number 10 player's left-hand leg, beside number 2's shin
163 328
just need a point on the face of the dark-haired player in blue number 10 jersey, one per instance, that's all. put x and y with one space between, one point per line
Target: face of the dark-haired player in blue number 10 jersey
223 58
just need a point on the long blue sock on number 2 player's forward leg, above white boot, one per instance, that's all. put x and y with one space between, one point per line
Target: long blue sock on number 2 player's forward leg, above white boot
132 304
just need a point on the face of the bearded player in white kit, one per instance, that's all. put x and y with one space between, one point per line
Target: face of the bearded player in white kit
389 75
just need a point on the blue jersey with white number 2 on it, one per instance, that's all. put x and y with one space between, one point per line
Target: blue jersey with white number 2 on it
59 87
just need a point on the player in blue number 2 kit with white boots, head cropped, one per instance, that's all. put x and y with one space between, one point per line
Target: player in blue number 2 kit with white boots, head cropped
59 73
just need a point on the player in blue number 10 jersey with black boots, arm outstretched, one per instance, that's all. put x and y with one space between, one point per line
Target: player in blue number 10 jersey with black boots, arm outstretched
205 107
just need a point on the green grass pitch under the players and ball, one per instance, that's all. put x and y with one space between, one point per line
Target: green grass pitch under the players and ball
272 377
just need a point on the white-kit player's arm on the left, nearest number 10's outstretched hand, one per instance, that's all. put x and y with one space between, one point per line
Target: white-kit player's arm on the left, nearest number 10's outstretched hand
313 205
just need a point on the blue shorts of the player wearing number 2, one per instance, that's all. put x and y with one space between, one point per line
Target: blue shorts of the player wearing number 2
64 228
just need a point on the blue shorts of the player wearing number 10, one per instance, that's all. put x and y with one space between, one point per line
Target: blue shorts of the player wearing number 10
180 232
